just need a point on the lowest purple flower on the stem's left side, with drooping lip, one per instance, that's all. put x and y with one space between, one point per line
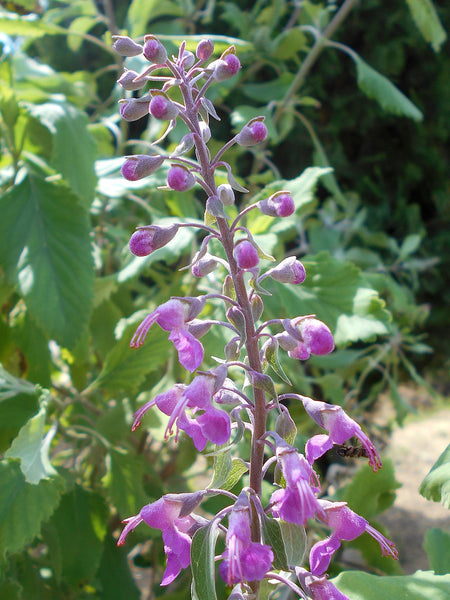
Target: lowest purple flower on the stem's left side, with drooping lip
164 514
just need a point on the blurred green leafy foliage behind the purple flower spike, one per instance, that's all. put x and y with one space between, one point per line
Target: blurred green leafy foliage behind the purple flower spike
371 233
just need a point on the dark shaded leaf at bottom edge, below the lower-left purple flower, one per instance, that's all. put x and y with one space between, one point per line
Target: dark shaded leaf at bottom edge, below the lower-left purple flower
114 573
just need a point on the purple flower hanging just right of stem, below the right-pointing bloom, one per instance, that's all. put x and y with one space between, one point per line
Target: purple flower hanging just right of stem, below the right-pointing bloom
297 502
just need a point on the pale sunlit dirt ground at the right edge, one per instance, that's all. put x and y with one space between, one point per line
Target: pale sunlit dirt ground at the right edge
414 448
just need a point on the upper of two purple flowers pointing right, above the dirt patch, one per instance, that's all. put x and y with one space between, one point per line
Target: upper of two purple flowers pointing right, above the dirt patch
340 428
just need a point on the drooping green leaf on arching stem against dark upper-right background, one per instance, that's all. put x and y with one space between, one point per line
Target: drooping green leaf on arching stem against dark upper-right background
379 88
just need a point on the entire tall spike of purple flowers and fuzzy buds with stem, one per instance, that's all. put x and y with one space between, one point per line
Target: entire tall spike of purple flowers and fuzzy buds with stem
212 405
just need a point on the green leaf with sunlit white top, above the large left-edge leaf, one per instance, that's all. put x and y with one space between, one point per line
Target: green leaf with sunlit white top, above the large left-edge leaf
73 147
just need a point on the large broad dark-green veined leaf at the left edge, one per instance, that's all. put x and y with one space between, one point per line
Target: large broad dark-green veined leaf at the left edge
45 250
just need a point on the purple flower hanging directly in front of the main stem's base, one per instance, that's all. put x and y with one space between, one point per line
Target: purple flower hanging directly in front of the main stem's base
244 560
